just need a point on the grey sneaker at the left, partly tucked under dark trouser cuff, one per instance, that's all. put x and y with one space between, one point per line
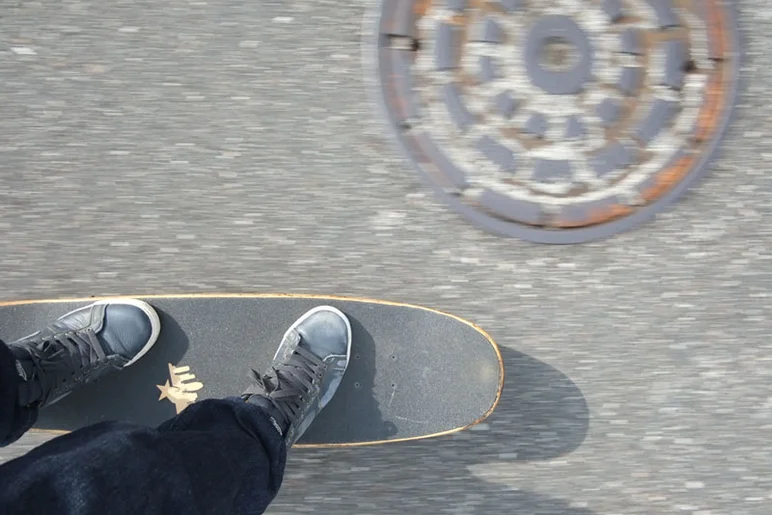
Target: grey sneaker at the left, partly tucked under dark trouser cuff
82 346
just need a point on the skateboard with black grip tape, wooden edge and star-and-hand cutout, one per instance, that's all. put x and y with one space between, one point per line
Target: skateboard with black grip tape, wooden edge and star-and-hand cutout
414 372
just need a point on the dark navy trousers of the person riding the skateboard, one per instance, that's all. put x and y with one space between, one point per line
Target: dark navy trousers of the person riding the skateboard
217 456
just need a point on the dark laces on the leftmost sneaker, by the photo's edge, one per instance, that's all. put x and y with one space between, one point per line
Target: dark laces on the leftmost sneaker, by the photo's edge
61 357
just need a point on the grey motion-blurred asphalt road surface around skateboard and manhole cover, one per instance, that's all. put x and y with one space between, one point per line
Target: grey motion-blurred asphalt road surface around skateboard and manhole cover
186 146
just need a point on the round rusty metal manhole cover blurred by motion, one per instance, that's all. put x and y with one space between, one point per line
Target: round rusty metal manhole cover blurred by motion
558 121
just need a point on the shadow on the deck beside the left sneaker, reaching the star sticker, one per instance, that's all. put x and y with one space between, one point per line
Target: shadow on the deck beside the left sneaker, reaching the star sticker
108 398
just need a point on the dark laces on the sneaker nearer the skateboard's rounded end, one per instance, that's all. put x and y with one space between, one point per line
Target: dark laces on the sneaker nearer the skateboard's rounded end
287 384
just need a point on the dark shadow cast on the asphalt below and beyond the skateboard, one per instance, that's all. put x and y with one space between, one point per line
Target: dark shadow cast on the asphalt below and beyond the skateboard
542 415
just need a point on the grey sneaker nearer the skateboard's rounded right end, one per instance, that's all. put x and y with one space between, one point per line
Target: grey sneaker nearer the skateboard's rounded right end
306 371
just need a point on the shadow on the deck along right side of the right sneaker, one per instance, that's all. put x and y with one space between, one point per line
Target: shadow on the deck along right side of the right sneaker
353 413
